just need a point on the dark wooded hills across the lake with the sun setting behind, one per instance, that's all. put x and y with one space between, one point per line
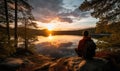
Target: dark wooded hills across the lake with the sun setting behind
46 32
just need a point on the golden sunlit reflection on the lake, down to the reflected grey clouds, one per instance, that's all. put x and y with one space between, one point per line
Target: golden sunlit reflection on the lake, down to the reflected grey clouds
56 40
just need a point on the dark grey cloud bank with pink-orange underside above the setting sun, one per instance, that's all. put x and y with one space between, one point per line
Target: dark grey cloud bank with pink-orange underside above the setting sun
47 10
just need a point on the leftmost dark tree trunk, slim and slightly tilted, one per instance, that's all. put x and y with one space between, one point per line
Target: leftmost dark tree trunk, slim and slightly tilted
7 22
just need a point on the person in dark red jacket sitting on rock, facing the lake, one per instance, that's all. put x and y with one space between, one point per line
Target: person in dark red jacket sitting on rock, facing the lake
86 47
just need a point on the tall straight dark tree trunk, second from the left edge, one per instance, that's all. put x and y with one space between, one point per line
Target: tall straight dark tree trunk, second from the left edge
15 29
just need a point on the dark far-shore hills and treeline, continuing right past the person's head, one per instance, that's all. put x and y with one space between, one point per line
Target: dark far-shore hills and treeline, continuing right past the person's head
45 32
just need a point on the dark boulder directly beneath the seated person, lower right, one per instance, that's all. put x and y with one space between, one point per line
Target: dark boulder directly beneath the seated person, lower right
95 65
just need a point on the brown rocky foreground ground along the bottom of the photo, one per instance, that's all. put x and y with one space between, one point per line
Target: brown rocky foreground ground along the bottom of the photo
45 63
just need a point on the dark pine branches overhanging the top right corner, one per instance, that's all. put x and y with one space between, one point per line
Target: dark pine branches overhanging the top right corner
105 10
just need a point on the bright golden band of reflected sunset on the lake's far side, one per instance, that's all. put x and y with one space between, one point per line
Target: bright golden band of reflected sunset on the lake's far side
58 38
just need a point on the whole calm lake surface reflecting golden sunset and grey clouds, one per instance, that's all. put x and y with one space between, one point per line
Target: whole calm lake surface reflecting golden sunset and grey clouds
57 46
